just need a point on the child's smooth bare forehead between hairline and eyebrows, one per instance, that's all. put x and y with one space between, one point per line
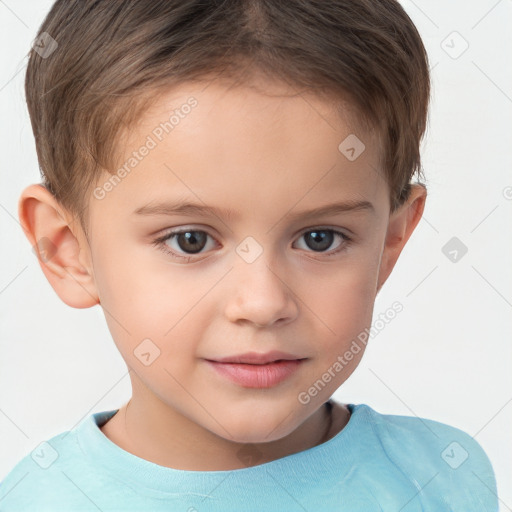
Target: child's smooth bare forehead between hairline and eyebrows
247 147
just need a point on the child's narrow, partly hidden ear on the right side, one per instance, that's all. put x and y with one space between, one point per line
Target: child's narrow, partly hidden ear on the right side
402 223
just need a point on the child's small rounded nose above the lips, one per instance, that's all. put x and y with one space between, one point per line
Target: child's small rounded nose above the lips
260 294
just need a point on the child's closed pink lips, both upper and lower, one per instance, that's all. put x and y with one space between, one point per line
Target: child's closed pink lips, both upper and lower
259 375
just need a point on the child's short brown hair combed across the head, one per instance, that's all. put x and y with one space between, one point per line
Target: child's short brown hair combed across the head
114 56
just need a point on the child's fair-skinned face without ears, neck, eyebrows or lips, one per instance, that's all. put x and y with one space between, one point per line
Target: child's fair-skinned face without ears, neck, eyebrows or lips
260 280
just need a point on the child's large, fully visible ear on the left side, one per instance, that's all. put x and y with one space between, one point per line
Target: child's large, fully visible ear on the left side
61 246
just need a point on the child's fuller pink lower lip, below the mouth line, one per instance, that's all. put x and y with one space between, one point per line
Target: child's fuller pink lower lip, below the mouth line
257 375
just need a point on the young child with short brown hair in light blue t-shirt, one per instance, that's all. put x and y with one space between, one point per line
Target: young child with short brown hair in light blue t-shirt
254 130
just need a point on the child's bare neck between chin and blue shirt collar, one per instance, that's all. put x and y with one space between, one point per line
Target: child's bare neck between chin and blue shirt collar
145 432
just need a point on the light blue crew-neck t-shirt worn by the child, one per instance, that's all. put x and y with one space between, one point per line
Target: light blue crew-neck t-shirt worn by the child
376 463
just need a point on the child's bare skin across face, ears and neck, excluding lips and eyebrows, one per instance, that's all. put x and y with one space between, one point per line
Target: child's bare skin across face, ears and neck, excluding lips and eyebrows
267 154
